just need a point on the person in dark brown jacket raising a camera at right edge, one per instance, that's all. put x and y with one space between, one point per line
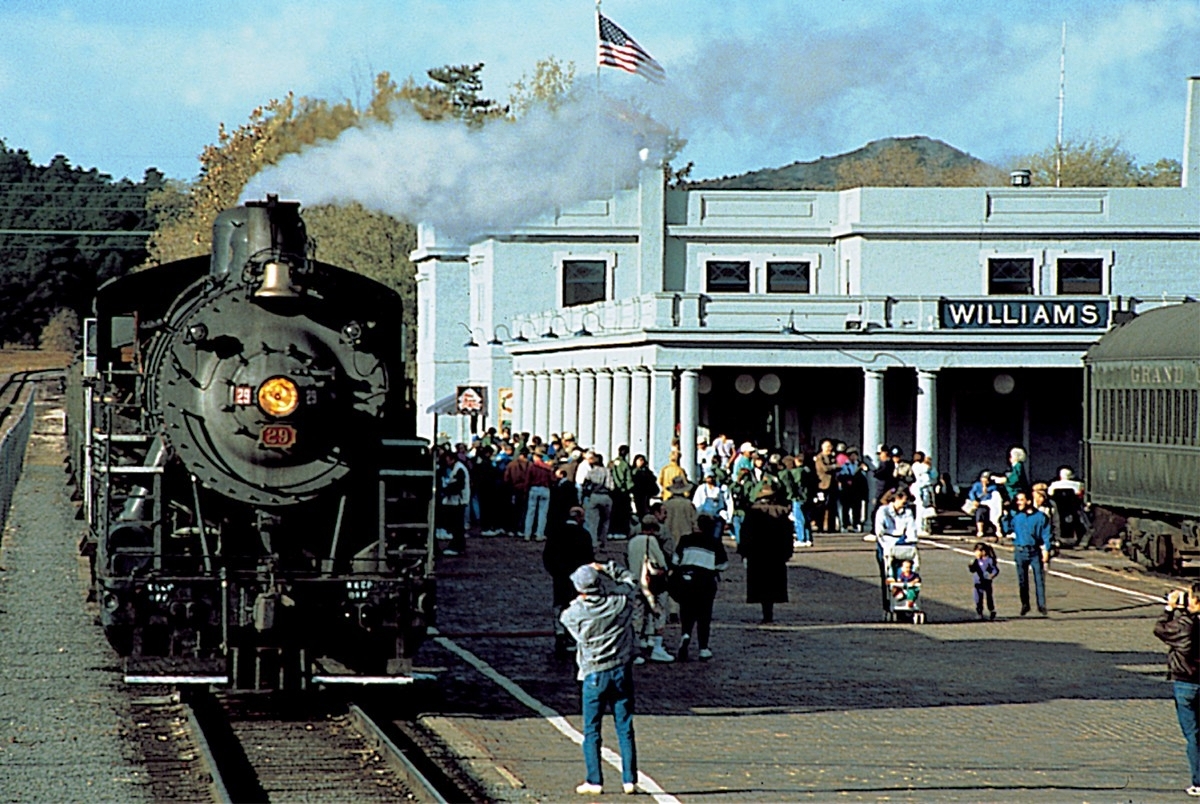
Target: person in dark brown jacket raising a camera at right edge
1178 628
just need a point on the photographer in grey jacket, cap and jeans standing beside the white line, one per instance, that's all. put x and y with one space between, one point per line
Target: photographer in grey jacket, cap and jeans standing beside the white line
601 621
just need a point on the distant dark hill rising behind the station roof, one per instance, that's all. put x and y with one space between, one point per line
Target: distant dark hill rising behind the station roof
895 161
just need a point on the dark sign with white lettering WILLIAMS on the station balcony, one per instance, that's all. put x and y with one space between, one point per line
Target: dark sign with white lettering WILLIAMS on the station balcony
1024 314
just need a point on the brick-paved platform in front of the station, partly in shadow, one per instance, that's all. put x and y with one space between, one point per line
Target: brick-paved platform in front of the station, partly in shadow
830 703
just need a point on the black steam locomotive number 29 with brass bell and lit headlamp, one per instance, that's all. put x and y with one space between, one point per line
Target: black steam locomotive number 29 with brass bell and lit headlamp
260 509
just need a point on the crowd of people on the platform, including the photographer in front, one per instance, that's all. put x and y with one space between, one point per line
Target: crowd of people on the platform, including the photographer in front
673 523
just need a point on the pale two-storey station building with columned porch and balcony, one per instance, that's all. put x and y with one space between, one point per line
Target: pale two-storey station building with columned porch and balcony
952 321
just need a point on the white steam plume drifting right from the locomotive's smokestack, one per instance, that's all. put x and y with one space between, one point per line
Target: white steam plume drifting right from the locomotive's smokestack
472 182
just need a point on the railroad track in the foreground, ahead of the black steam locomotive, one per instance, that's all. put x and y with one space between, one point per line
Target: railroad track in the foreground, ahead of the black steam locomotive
261 749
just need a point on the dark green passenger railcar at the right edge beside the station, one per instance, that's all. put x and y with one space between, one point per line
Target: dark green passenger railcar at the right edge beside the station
1142 430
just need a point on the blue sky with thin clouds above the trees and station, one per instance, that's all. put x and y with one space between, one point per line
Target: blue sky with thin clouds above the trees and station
124 86
